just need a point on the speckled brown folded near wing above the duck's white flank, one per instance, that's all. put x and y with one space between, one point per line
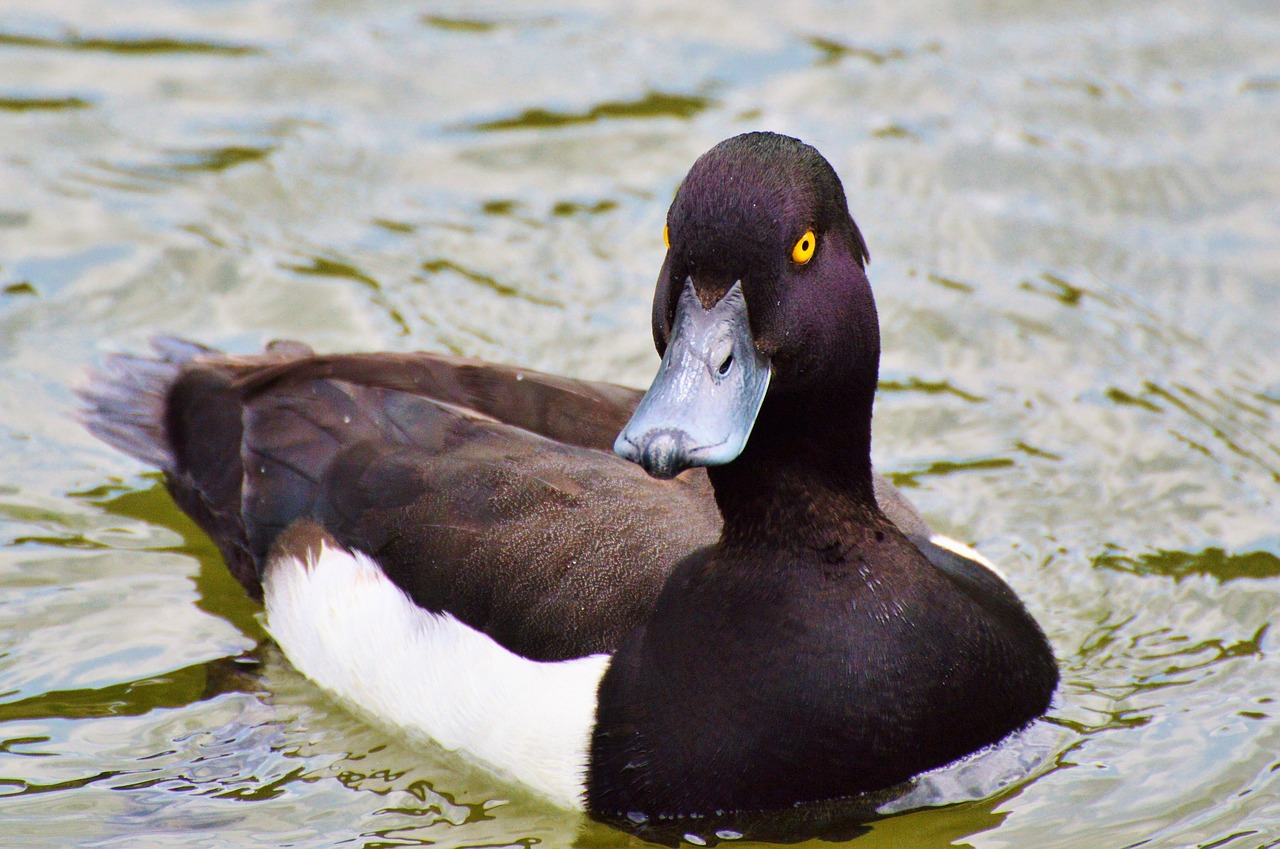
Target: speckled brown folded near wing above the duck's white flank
554 550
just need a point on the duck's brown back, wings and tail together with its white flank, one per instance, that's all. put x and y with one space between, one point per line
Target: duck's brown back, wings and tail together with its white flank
432 542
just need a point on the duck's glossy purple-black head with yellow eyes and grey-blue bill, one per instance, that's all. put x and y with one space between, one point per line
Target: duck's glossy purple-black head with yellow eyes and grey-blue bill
762 312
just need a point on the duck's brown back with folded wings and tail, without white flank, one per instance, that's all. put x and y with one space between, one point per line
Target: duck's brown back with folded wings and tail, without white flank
484 491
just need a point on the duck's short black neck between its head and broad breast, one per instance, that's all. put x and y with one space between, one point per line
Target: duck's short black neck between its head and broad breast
807 469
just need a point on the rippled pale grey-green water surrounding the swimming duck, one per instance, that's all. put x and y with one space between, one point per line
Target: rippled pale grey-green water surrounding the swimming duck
1075 220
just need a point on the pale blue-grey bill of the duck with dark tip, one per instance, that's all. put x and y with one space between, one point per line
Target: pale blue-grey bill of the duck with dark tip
707 395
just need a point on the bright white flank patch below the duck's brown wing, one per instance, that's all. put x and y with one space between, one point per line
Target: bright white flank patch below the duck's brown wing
346 627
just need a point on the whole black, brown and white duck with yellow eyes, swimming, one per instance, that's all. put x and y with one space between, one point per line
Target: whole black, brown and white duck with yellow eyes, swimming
451 546
